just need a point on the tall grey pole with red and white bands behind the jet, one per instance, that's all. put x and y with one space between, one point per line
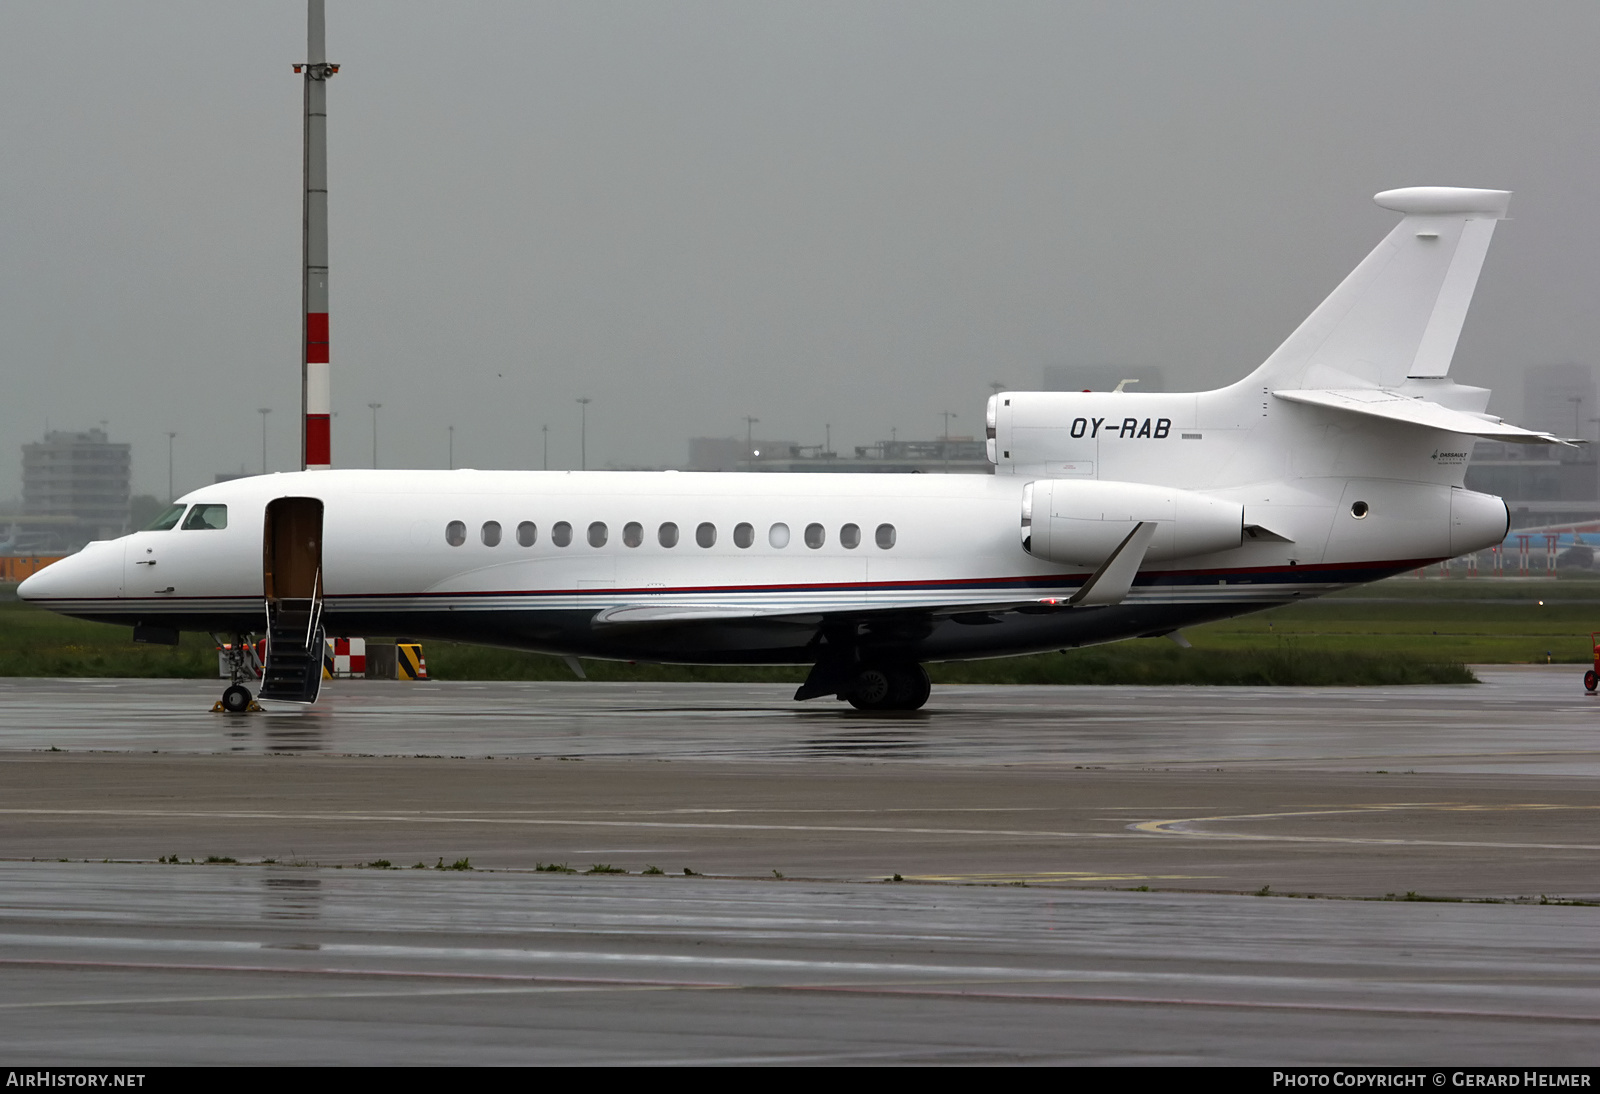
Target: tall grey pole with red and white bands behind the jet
316 393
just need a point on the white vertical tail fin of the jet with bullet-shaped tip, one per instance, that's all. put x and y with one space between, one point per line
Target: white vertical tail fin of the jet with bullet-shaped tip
1401 311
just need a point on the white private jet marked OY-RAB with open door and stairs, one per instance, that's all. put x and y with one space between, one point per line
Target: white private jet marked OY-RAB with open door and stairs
1108 516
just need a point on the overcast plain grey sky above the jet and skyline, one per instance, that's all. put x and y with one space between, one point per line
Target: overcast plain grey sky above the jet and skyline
850 214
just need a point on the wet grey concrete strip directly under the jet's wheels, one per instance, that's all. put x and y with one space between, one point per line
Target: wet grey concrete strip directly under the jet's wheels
1518 721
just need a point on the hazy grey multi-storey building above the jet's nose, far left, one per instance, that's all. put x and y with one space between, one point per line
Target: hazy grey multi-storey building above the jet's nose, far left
76 485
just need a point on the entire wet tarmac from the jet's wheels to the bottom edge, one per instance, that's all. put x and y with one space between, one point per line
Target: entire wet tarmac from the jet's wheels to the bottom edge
1022 820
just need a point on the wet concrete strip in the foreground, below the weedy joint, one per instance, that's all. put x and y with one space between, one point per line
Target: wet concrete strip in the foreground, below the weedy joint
126 965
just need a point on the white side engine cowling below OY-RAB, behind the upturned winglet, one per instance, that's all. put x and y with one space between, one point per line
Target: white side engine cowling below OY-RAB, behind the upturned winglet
1082 522
